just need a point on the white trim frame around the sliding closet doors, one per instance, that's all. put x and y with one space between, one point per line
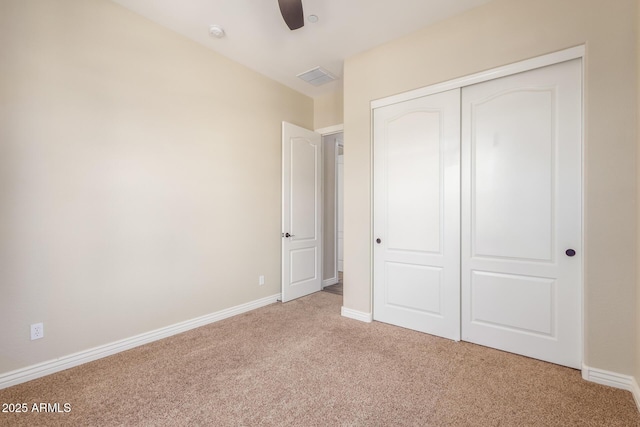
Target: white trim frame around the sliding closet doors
577 52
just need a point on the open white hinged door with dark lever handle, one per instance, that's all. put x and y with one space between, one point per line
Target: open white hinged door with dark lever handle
301 212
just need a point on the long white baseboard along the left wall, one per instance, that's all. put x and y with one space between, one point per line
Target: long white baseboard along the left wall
46 368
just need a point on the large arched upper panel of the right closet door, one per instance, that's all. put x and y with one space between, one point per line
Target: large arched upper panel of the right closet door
513 168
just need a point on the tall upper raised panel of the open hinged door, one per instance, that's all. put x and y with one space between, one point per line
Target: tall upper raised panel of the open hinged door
303 188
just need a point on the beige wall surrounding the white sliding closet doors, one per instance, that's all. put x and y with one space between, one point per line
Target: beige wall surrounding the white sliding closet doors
500 33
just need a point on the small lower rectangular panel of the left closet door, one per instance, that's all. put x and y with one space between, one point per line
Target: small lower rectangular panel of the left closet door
414 287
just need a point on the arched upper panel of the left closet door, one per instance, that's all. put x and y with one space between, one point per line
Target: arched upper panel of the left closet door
413 182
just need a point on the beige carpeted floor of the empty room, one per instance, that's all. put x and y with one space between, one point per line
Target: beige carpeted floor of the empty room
302 364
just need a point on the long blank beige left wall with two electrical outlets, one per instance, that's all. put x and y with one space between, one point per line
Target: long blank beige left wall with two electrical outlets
139 177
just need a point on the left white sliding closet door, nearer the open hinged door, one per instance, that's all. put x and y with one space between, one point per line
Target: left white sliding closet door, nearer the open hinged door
417 214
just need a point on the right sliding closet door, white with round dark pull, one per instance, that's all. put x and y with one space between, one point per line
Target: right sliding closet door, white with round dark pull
521 213
